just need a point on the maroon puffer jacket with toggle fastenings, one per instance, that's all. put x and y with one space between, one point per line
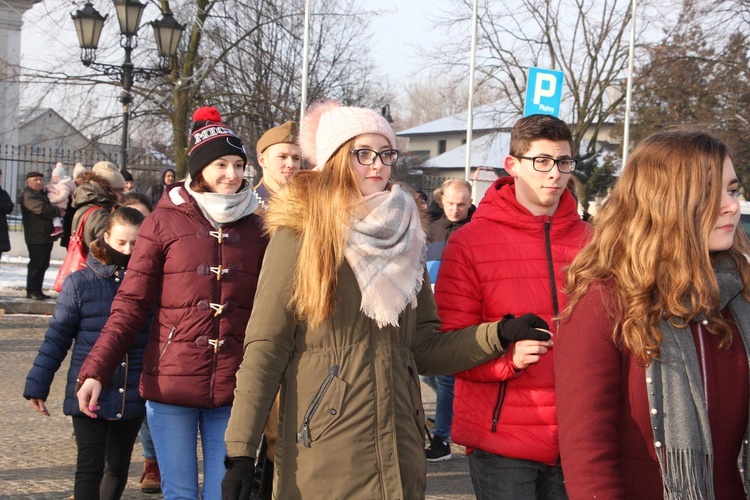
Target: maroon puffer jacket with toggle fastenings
202 282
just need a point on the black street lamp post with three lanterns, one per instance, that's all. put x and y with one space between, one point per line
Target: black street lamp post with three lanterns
167 31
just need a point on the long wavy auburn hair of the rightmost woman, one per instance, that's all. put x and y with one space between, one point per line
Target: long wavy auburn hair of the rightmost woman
650 242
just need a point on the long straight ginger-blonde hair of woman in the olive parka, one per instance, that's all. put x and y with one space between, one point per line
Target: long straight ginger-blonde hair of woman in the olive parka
319 206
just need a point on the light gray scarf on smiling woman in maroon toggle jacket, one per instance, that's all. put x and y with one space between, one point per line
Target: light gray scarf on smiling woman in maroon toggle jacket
222 208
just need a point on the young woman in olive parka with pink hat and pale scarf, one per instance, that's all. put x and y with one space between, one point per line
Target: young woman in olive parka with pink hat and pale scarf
344 321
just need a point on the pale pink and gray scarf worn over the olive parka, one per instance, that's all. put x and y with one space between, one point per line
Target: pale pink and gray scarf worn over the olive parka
386 250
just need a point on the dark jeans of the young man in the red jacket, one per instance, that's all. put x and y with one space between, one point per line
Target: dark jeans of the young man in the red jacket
495 476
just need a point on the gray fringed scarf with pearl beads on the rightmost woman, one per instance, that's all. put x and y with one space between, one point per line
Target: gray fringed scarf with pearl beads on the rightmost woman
682 434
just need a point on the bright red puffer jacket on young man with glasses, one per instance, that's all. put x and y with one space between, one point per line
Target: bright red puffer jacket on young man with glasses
508 261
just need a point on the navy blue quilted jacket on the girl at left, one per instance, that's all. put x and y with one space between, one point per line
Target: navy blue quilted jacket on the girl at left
80 314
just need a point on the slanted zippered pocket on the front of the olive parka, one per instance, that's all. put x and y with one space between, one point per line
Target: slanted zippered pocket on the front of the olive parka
324 409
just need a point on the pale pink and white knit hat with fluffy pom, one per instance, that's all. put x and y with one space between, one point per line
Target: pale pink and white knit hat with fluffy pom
327 125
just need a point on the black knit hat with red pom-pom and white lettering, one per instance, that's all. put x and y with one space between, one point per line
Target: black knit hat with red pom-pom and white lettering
211 139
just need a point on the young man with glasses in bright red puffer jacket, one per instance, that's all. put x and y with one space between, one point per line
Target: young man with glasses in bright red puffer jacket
509 261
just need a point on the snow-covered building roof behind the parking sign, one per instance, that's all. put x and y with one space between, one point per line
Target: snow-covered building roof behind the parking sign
493 116
